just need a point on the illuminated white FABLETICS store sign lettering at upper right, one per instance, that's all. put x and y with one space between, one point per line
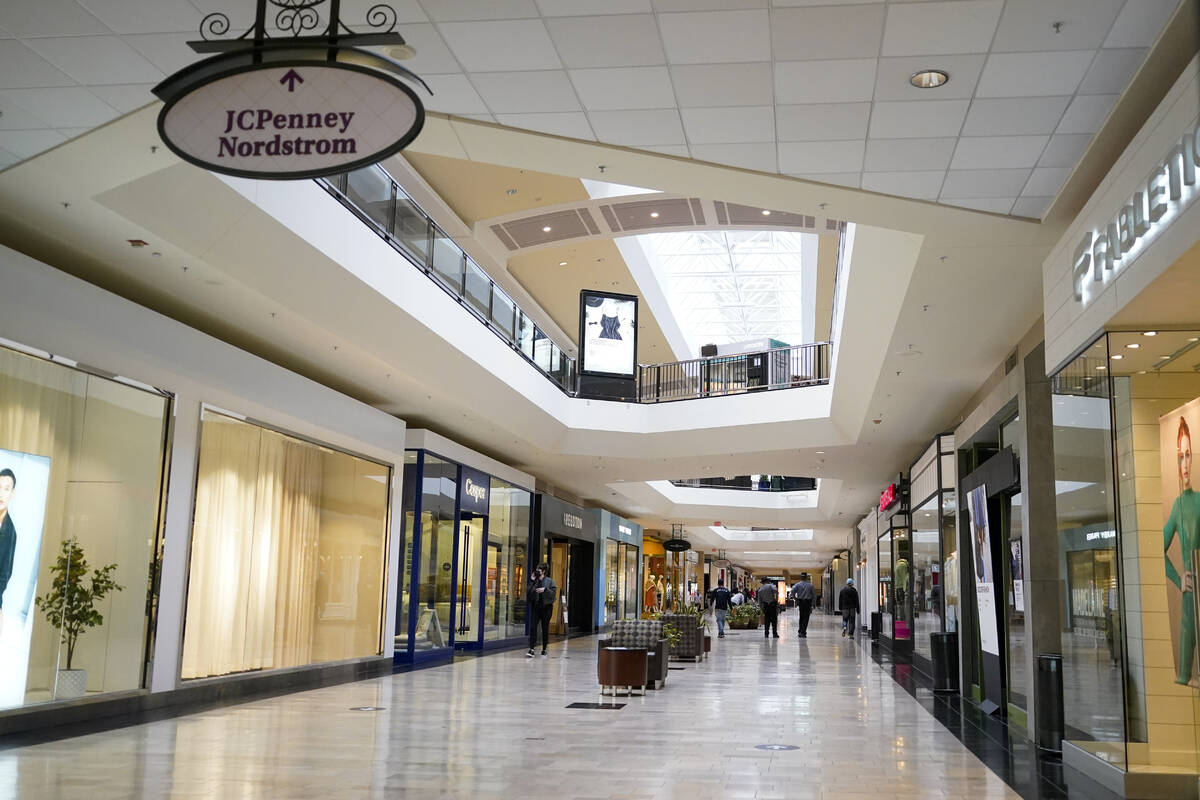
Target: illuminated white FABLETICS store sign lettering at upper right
1166 194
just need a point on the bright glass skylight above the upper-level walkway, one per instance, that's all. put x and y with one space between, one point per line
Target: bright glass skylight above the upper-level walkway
733 286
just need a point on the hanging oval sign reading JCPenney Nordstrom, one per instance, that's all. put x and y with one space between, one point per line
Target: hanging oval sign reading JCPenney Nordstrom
292 121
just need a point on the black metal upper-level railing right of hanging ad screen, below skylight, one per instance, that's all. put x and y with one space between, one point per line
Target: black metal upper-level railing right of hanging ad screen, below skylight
805 365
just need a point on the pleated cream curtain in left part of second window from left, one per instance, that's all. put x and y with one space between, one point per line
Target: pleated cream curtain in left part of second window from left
251 600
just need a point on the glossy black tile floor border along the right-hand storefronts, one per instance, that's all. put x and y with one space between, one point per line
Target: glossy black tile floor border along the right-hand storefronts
1031 773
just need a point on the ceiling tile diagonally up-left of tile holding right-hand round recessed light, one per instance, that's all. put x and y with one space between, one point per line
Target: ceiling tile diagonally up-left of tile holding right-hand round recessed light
826 33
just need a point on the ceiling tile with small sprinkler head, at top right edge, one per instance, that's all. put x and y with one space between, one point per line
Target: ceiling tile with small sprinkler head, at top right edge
1029 25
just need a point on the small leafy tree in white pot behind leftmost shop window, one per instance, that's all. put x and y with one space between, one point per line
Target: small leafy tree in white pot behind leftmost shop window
71 606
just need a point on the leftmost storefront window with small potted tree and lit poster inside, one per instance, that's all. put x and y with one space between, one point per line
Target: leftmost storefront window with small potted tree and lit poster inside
81 478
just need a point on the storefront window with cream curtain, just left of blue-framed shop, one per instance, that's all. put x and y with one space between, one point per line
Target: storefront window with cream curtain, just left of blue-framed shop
289 552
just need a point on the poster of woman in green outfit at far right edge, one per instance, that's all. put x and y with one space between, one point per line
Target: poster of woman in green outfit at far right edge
1181 534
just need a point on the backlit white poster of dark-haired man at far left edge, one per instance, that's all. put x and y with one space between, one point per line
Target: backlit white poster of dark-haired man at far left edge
25 484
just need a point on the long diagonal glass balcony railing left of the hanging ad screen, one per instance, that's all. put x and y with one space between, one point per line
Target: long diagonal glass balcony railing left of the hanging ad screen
376 199
